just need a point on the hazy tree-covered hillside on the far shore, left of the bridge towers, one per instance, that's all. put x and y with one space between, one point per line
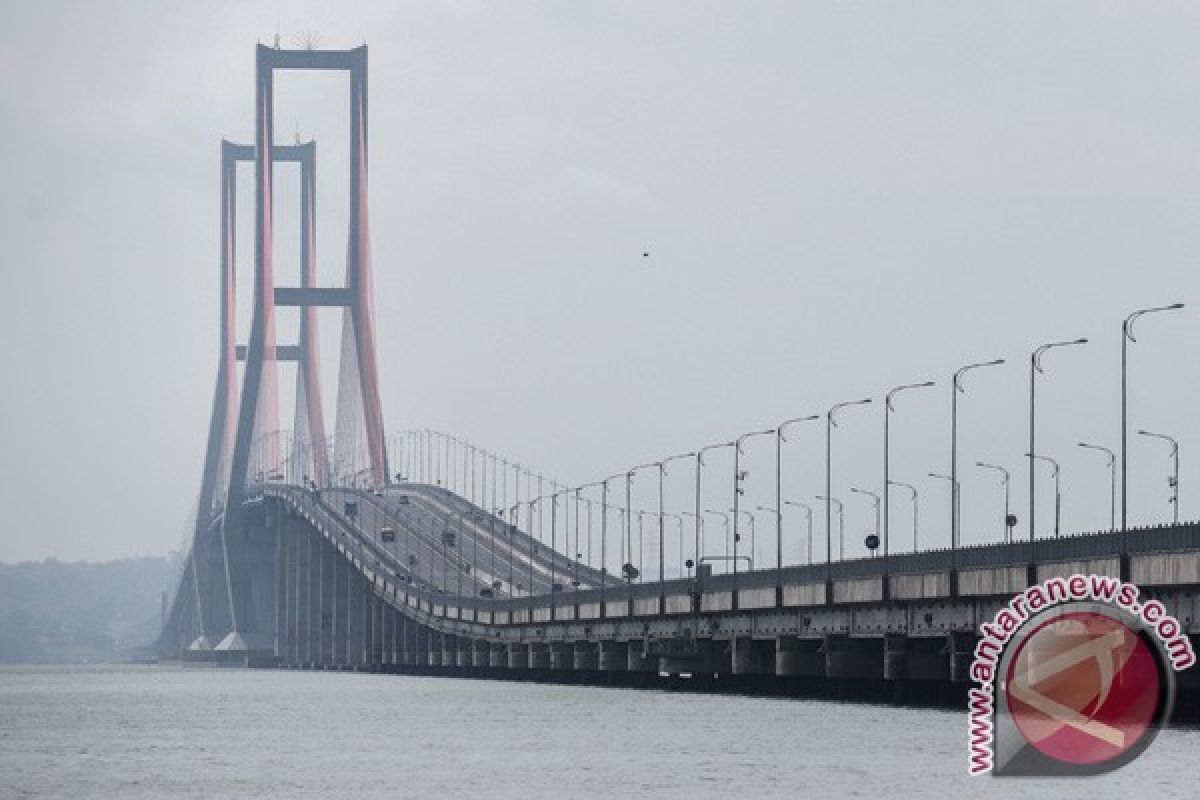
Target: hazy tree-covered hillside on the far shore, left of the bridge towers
53 612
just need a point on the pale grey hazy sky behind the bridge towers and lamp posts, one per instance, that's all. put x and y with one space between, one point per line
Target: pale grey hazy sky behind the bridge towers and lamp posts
838 199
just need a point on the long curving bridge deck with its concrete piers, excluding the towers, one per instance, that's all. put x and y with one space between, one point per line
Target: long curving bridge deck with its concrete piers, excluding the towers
351 604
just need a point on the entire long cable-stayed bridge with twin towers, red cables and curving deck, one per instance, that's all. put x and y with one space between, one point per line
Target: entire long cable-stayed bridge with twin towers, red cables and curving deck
422 552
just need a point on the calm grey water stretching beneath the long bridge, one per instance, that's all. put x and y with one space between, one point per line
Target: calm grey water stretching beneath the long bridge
190 733
